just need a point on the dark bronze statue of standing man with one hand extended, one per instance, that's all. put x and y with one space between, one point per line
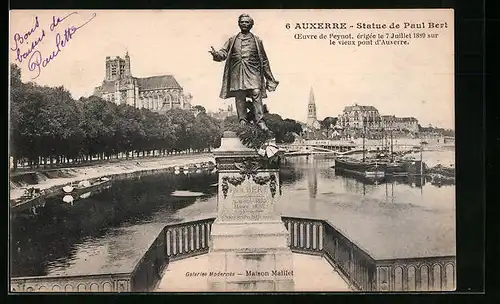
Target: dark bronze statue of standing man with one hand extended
247 73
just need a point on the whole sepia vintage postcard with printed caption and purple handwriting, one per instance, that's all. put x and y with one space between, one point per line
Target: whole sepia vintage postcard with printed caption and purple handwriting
232 150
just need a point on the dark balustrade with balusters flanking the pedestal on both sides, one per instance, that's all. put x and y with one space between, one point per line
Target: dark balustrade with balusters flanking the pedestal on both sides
309 236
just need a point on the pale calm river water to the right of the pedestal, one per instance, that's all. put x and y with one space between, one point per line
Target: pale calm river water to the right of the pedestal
376 215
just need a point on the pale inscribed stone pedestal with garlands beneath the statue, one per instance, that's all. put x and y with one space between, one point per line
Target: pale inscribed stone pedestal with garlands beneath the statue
249 245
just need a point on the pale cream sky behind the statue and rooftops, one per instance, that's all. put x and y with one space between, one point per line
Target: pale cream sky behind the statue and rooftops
414 80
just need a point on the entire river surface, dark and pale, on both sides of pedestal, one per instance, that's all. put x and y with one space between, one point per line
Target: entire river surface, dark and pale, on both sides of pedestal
110 231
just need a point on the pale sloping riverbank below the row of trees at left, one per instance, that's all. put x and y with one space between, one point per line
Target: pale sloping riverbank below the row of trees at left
59 177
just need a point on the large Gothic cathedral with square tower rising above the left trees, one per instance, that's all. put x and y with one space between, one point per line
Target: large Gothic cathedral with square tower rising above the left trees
156 93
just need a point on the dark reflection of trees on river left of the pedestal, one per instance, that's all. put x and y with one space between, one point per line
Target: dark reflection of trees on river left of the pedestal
56 234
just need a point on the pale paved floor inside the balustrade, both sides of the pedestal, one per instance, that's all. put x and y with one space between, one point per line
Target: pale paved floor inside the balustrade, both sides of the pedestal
311 273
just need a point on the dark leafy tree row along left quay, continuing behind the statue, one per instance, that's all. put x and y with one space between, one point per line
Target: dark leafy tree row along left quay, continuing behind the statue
47 126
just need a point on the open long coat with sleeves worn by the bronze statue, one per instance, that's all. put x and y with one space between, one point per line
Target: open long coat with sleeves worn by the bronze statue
266 74
